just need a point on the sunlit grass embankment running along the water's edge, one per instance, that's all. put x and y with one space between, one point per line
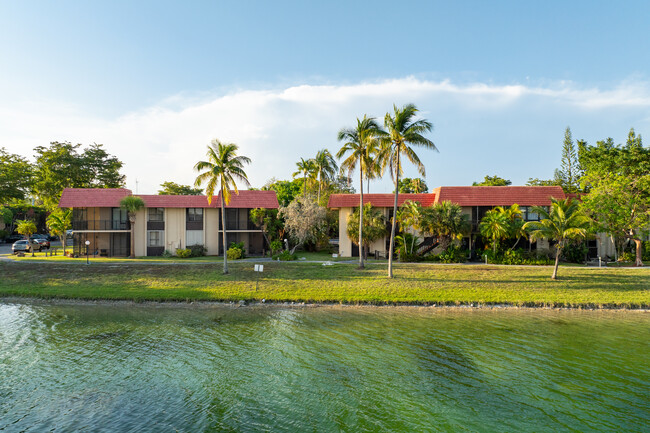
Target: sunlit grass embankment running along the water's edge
312 282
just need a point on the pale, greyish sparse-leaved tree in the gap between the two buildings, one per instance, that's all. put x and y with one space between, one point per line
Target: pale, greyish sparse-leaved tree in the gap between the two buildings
304 220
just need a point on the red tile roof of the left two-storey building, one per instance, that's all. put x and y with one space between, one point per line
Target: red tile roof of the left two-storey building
110 197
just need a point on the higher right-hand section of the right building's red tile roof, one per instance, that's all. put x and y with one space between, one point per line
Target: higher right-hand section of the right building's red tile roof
499 195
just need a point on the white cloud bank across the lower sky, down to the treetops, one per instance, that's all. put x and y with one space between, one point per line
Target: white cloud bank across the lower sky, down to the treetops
511 130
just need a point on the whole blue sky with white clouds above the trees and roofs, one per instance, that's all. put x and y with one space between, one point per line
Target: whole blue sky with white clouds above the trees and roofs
156 81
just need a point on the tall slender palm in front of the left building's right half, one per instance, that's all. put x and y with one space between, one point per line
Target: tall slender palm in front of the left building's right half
222 168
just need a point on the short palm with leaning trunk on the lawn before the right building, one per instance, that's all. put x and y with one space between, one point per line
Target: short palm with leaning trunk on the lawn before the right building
563 221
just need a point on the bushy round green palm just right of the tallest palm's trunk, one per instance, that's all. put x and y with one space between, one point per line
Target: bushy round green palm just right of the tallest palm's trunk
445 221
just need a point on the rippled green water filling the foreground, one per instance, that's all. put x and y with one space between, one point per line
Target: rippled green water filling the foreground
128 368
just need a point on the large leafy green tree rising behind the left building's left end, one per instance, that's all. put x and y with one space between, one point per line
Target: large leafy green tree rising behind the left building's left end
61 166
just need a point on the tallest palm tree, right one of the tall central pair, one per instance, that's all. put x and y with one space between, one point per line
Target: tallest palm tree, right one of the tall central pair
402 131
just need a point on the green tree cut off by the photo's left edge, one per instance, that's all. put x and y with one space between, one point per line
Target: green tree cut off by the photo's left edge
16 175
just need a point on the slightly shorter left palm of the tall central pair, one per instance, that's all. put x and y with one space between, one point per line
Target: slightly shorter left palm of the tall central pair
358 141
